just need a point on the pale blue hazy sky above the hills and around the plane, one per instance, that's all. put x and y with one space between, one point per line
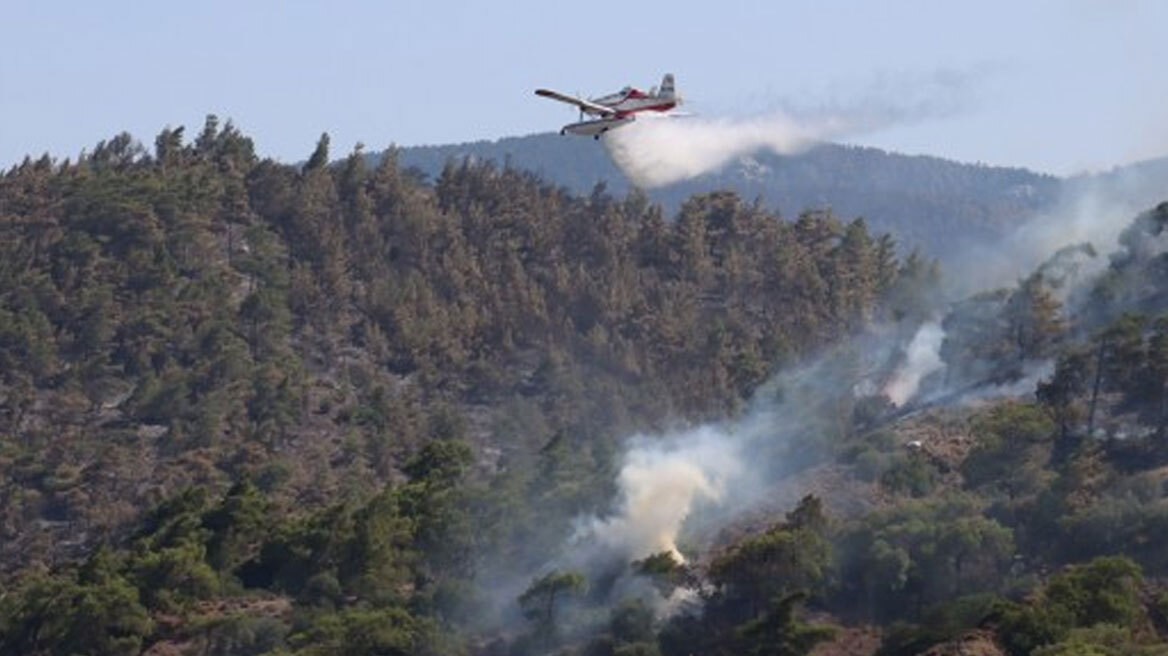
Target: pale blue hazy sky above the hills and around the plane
1058 86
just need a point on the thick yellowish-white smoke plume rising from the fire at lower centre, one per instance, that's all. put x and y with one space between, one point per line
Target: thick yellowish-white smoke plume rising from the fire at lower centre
700 479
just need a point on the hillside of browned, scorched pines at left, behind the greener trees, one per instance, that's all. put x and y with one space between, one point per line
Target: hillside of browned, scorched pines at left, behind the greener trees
196 316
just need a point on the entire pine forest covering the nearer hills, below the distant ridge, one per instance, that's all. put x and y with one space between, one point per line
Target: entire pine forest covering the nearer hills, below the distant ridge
338 408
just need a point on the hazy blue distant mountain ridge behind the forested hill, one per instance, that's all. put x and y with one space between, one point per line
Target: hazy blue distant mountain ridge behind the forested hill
924 201
